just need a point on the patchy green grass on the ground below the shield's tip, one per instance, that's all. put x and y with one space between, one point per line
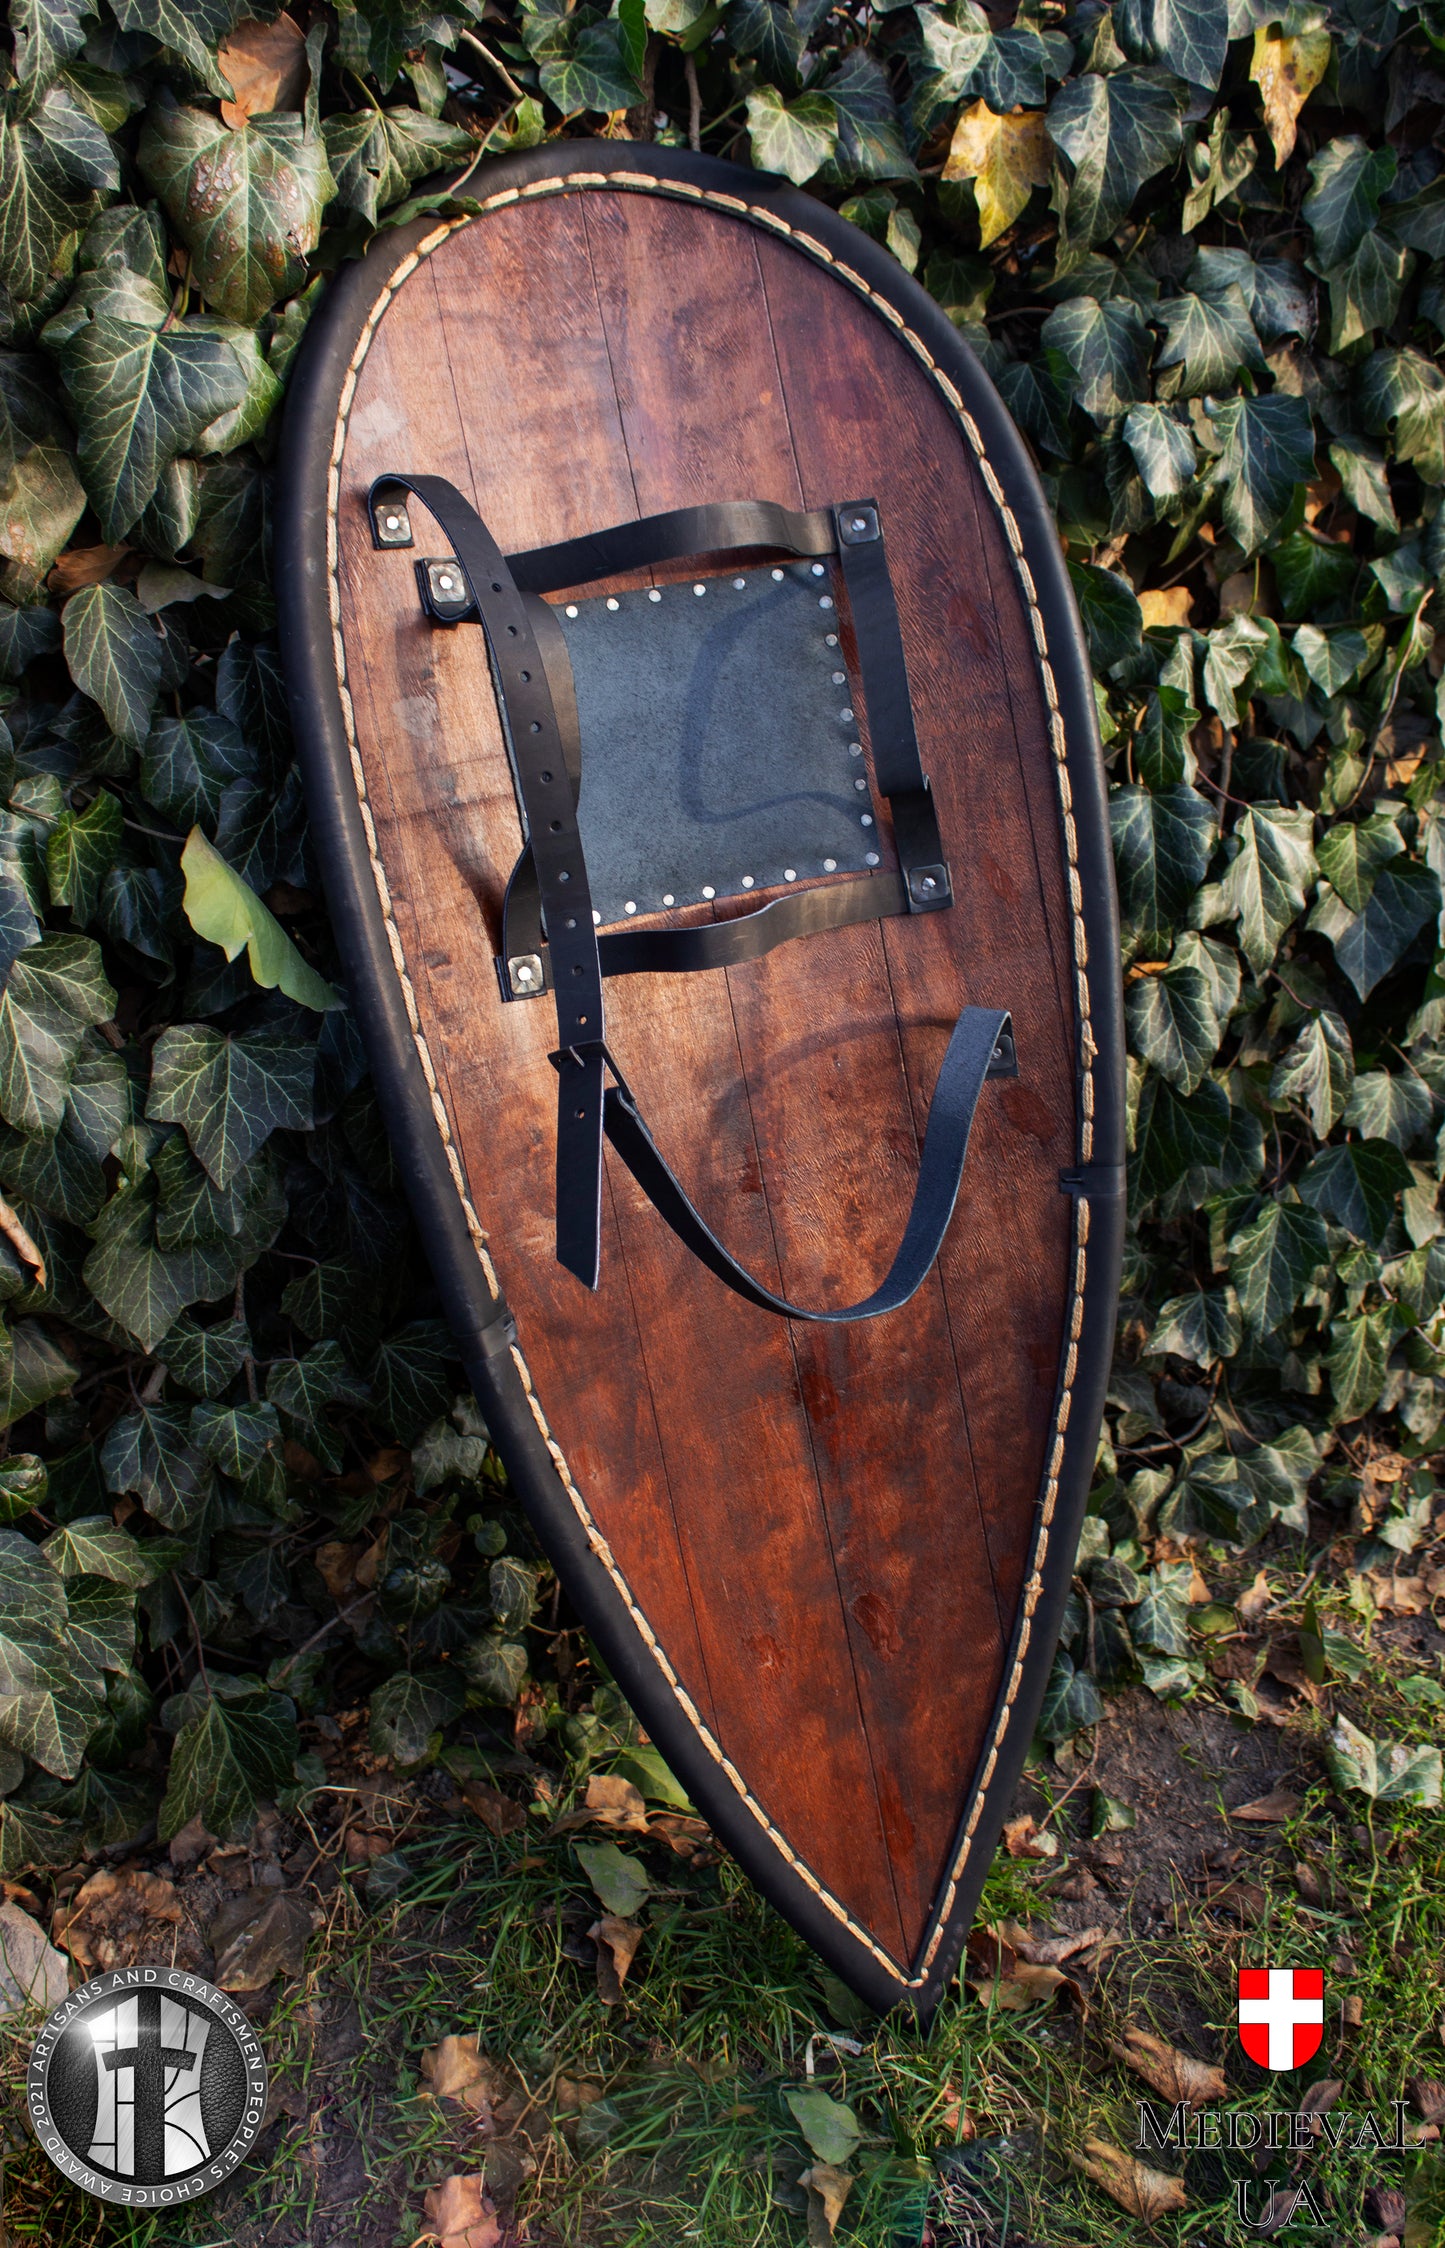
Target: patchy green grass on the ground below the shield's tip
693 2139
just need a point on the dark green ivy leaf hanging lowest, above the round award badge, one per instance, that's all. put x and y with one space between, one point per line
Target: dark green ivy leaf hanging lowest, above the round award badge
235 1748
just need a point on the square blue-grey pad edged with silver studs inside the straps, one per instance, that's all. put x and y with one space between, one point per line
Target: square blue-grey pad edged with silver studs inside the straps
720 750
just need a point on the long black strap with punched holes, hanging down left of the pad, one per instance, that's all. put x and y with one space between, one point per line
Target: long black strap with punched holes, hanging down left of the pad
545 750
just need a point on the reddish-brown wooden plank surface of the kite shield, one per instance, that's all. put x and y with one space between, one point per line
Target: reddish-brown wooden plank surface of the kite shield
826 1528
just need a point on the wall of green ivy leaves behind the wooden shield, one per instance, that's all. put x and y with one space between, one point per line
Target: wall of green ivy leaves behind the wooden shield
1197 246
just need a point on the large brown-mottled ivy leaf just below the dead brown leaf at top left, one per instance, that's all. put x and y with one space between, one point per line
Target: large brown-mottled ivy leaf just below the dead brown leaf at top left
246 203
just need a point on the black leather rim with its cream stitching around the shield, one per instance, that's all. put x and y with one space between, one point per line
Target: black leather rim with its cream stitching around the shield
448 1226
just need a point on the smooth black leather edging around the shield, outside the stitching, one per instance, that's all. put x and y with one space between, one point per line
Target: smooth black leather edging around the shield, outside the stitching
305 604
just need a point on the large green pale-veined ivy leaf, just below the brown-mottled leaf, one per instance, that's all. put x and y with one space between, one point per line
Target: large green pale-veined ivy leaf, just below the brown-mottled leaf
140 397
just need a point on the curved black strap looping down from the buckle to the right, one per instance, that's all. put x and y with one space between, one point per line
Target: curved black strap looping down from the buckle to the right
976 1040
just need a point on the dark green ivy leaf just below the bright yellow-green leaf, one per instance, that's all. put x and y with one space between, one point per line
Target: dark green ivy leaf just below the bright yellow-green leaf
230 1091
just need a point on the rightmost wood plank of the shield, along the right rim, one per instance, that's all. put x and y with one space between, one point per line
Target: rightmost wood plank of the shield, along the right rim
1006 943
